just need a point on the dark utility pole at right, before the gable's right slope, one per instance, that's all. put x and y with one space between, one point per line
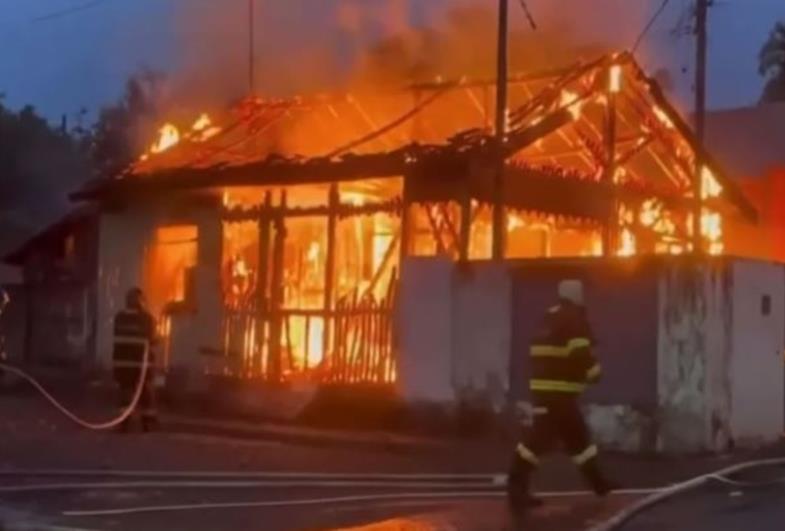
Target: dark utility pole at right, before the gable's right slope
701 30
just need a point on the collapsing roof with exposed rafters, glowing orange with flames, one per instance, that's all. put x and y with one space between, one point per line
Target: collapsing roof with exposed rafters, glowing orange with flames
556 129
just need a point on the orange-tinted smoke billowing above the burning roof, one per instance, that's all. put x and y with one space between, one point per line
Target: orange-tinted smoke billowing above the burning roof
305 46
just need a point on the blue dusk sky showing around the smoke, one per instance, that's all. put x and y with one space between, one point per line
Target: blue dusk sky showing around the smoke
61 64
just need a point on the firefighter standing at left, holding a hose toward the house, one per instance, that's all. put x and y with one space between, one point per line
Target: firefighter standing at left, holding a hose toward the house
134 338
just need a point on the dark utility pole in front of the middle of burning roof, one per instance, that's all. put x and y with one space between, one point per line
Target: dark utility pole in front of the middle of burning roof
499 226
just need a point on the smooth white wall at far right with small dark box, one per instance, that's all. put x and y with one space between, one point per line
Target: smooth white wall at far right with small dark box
757 370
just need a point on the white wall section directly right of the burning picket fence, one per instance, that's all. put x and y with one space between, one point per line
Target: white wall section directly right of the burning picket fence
425 365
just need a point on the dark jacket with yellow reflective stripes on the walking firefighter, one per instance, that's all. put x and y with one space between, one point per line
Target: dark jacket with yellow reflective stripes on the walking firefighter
562 362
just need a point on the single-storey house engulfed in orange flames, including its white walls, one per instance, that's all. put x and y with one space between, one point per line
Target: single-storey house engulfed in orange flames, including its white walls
347 240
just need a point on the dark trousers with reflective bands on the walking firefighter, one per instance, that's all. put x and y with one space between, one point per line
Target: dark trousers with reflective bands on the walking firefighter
556 421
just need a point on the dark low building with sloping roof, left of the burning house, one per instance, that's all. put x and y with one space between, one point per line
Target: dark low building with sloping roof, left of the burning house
58 295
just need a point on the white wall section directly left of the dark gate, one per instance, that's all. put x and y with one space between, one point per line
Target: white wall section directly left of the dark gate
481 332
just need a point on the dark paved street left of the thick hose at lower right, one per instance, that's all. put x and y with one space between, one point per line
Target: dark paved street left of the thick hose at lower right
36 438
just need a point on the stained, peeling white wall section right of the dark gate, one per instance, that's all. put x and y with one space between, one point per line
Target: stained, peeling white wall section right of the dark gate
694 336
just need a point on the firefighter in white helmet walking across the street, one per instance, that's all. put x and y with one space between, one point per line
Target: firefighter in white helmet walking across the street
562 365
